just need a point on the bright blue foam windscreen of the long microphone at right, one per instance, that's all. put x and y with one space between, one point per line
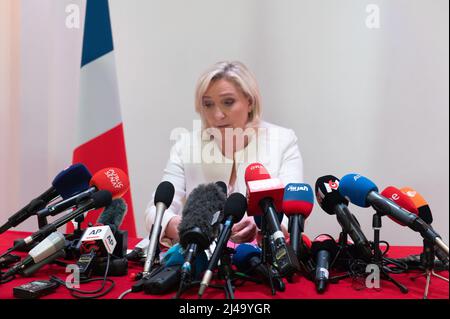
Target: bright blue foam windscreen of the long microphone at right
355 188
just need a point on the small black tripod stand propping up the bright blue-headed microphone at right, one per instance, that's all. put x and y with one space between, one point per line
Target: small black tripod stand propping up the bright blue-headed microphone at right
378 258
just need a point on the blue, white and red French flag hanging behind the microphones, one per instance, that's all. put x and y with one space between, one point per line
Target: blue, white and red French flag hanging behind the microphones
100 138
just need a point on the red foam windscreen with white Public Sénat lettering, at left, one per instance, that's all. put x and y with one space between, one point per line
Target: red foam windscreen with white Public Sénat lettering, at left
112 179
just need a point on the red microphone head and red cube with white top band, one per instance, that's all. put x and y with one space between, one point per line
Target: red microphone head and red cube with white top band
259 186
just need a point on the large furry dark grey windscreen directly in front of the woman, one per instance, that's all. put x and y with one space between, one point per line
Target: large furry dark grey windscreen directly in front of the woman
202 214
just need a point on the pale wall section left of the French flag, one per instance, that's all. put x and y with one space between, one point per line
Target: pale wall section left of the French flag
38 119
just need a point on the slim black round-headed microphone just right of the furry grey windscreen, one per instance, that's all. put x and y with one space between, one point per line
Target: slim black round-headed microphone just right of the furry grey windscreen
234 211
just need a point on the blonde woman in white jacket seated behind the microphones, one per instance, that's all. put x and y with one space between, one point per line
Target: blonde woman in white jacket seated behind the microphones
232 136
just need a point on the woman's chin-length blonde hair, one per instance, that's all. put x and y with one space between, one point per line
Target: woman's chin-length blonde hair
240 75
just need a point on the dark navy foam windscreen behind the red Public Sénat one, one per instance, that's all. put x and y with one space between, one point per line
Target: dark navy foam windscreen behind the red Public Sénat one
71 181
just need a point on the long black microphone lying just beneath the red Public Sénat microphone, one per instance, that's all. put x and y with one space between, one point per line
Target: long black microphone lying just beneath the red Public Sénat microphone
99 199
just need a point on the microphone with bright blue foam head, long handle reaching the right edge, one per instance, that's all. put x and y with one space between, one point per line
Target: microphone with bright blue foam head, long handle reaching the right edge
363 192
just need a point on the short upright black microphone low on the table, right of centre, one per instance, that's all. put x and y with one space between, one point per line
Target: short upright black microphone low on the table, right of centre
323 249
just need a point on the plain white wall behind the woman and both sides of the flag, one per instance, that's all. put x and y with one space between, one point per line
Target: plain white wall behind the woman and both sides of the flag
368 100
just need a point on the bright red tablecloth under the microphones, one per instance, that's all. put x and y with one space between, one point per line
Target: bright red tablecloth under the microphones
301 288
